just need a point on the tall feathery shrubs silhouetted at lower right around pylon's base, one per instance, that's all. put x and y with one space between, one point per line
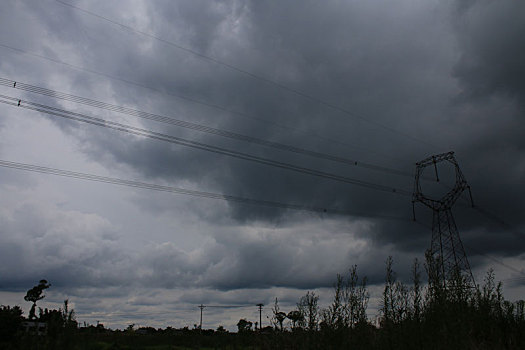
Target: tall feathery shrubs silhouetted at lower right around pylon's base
435 314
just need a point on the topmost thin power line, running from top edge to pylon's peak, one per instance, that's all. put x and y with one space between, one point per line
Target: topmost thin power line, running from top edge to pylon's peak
253 75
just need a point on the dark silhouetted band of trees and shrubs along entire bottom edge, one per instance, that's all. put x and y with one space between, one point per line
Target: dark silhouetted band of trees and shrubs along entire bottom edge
426 313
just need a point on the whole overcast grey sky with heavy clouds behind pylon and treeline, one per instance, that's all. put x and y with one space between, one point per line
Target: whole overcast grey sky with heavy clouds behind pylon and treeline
378 82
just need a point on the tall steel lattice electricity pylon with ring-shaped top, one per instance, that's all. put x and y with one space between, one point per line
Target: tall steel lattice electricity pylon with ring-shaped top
446 249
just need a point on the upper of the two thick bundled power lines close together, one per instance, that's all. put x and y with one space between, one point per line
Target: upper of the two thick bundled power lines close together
194 126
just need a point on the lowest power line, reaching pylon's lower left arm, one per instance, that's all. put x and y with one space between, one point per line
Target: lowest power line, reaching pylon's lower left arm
178 190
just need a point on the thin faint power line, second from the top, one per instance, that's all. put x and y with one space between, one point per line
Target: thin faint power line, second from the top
183 97
